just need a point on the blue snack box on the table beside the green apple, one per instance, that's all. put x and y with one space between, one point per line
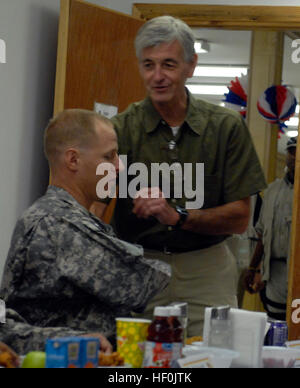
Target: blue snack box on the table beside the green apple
72 352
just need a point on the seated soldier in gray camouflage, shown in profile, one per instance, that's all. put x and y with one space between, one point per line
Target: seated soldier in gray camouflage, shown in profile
65 267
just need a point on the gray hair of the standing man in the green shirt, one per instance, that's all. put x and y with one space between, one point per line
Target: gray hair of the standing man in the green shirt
166 29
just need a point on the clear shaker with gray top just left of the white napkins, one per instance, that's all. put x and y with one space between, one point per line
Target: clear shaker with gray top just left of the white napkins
220 335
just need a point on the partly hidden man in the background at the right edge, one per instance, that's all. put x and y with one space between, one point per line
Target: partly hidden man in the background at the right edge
268 271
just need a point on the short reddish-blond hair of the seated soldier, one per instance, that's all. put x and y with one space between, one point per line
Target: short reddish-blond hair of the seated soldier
71 128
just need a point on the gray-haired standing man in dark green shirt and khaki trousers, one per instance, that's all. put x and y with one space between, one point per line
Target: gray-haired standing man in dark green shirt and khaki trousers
171 126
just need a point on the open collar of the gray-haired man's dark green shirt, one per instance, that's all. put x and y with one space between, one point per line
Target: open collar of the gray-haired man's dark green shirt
152 118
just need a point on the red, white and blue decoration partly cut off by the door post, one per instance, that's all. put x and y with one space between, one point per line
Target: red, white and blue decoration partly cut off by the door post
236 99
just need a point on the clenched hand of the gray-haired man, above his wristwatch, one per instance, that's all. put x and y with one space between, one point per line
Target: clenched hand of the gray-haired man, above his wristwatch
150 202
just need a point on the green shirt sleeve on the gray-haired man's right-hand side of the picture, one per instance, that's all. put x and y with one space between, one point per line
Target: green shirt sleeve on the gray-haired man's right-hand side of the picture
243 173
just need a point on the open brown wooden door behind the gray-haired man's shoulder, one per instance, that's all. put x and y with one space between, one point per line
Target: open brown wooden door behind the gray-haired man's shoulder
96 60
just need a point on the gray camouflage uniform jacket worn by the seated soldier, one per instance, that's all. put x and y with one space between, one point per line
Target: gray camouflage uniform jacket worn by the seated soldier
66 268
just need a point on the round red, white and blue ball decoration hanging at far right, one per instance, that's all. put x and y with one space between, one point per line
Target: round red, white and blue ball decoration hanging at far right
277 104
